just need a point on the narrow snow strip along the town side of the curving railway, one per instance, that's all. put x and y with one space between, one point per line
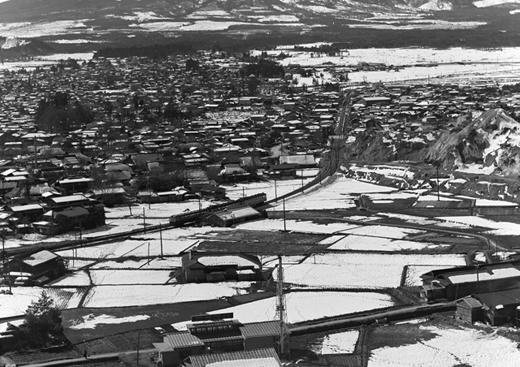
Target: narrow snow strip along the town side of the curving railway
272 188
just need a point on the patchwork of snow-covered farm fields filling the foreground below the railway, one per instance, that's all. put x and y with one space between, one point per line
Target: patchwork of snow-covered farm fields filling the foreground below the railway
349 258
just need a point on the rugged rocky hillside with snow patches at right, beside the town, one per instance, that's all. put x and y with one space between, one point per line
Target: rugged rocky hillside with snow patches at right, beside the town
487 144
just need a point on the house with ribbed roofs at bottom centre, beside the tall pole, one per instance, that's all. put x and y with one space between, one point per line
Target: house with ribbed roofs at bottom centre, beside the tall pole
217 338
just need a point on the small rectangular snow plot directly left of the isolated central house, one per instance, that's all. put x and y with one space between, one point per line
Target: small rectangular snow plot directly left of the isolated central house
127 277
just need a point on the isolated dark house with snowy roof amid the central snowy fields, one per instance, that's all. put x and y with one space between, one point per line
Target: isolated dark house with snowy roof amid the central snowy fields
207 267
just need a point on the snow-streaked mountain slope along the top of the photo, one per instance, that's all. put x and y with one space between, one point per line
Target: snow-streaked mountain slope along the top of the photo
94 24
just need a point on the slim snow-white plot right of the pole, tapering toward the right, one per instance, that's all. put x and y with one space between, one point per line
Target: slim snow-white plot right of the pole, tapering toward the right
365 243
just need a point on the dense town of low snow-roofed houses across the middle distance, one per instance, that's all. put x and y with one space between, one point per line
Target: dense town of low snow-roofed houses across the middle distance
159 125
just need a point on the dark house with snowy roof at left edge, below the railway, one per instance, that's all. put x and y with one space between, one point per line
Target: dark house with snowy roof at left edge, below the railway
40 267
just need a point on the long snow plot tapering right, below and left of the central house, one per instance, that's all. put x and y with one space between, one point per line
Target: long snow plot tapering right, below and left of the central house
143 295
